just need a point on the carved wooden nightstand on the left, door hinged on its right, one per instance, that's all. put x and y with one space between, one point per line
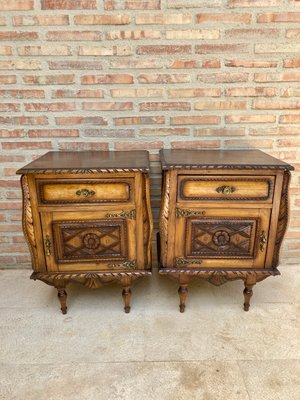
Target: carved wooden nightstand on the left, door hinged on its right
87 219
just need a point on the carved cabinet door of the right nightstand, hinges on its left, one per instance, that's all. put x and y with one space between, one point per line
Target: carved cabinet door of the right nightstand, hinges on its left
221 238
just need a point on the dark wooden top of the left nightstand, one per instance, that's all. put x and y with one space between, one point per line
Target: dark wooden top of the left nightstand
89 161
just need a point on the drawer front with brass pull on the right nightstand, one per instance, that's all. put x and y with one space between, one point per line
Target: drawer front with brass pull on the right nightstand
218 188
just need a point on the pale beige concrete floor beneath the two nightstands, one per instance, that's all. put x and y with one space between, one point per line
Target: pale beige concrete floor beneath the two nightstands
213 351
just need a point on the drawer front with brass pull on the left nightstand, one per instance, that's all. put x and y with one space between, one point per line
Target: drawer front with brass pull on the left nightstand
85 191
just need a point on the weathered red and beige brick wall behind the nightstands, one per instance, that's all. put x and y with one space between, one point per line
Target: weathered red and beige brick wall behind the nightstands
132 74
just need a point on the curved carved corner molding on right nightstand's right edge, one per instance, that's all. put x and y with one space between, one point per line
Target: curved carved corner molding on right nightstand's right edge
282 218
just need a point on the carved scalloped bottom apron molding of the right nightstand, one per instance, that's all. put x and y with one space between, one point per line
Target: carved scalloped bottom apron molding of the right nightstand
219 277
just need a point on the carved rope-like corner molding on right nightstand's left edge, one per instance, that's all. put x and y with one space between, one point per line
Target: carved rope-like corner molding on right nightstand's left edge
163 218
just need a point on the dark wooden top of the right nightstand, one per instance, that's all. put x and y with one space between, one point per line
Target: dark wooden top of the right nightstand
242 159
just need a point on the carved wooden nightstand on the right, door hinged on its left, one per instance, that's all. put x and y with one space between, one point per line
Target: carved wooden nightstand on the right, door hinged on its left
223 216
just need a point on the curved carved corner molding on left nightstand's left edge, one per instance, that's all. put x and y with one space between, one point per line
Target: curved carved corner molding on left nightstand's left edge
27 222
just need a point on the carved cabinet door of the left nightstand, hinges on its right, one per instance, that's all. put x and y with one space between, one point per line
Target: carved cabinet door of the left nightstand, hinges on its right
103 240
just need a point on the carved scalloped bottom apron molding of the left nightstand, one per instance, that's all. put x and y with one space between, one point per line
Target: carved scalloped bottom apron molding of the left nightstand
92 280
